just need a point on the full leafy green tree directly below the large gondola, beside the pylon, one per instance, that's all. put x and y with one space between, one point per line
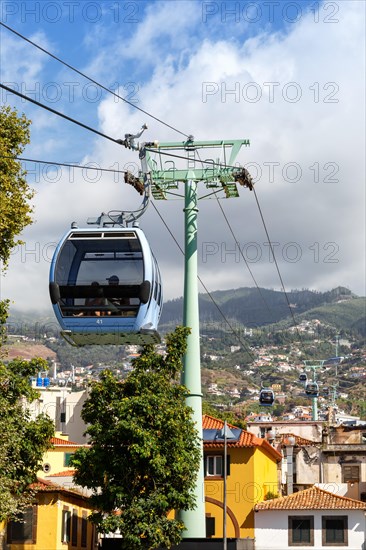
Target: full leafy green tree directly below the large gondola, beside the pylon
144 453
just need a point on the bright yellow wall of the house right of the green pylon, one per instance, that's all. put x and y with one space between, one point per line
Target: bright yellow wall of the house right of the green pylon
252 474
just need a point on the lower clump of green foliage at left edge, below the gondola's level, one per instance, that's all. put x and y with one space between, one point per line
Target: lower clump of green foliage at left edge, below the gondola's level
23 441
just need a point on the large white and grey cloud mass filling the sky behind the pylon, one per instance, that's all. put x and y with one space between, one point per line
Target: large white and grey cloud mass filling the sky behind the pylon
318 221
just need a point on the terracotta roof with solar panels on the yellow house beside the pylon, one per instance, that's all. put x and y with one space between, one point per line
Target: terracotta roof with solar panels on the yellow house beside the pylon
246 439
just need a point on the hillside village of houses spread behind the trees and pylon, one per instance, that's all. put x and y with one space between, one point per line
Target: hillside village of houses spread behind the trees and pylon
295 467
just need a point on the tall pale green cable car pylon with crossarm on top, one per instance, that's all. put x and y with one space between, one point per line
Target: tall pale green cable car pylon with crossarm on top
220 176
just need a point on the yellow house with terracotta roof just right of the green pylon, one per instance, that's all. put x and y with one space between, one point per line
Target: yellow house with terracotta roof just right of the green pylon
251 474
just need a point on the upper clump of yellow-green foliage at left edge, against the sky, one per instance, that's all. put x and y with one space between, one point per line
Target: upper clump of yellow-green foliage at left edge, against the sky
14 191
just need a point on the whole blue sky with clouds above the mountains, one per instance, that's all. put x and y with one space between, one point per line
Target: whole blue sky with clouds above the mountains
288 76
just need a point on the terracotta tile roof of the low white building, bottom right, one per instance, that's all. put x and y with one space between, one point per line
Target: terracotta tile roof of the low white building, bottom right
311 499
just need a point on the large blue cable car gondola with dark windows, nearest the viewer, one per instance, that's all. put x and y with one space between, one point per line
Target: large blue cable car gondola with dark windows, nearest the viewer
105 287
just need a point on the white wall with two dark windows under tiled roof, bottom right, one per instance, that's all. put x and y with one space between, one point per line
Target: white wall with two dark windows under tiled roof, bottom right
271 529
